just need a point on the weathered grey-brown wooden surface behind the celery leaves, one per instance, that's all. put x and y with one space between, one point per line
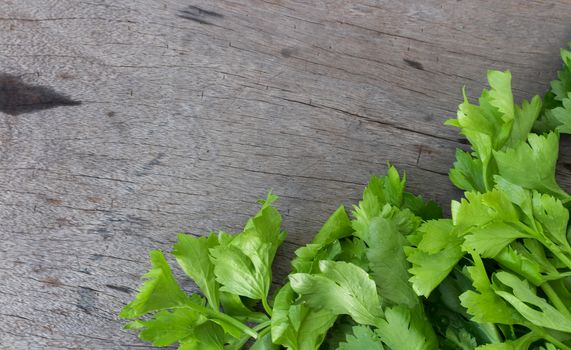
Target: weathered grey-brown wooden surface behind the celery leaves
125 122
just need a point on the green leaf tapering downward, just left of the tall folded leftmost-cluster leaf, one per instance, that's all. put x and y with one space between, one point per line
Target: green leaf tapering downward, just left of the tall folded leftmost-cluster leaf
192 254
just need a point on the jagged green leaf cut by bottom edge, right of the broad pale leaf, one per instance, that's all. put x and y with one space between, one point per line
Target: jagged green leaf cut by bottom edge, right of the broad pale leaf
403 329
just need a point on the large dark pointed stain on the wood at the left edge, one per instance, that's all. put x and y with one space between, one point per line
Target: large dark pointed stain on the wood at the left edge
18 97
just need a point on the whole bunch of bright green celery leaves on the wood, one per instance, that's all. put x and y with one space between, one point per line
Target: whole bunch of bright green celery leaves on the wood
395 274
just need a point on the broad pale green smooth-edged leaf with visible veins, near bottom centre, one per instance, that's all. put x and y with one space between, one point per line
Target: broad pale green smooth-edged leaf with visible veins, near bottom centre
342 288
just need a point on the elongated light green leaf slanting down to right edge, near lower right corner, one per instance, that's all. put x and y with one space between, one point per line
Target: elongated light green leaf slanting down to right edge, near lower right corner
522 297
